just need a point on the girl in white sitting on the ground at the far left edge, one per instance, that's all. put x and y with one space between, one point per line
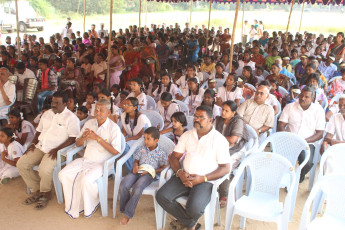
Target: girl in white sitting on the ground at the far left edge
11 151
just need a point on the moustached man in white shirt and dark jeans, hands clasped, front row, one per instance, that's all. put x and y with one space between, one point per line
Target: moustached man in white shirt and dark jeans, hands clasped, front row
207 158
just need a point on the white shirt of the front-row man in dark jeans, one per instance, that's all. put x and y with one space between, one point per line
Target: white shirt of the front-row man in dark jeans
205 154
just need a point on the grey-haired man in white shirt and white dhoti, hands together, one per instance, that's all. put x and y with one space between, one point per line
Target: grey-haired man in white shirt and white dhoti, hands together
102 138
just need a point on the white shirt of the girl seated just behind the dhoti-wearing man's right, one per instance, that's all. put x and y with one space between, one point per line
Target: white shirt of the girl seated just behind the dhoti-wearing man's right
142 123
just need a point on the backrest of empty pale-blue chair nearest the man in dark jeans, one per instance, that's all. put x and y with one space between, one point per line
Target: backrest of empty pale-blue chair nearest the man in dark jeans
267 170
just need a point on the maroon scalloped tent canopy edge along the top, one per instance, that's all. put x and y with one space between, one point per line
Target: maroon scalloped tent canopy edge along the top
319 2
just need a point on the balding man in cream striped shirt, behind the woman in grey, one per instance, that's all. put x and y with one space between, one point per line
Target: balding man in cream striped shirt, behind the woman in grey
256 112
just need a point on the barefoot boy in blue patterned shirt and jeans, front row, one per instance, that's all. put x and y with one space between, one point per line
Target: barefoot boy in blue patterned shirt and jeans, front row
149 156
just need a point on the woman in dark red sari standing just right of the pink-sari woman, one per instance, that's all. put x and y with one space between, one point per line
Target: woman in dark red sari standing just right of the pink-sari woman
132 59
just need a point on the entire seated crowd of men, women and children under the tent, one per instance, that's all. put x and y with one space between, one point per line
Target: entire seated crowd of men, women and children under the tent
185 74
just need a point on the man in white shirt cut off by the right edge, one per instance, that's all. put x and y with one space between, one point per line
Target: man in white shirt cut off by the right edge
336 126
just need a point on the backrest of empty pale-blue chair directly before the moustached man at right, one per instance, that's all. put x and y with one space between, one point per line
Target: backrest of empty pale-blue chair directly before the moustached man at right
286 144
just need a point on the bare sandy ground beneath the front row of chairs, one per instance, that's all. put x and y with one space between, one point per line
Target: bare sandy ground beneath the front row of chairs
15 215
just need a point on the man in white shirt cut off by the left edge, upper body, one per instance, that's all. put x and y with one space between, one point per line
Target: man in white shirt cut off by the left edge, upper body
7 91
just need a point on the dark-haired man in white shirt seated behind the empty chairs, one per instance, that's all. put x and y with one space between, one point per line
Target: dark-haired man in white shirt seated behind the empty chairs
306 119
